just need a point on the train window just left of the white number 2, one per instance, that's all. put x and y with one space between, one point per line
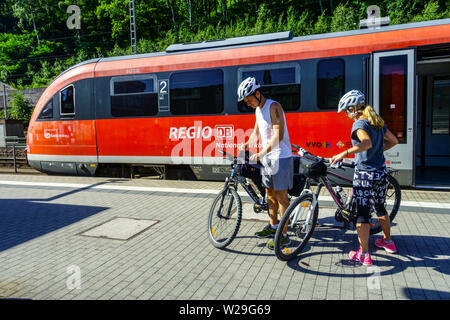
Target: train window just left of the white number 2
135 96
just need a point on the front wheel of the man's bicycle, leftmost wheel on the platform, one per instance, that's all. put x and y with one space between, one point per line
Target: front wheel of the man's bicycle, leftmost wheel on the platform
225 218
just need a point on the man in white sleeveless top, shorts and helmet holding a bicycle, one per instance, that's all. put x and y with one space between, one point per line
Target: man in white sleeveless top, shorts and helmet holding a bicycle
276 155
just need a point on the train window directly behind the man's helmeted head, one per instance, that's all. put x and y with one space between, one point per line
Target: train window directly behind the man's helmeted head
277 83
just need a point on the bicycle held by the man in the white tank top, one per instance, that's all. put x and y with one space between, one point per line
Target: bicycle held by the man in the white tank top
225 215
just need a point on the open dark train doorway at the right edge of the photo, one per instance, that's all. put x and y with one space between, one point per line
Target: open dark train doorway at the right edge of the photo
433 122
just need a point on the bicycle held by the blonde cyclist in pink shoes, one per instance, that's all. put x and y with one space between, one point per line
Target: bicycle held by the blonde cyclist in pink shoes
301 215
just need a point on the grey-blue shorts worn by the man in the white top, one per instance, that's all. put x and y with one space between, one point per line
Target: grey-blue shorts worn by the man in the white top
278 174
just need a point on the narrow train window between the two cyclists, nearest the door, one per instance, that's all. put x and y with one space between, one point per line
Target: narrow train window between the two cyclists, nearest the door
330 83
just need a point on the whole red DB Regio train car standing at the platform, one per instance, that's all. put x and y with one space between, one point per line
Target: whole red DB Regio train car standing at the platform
178 107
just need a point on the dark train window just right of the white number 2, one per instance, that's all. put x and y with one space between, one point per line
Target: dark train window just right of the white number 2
196 92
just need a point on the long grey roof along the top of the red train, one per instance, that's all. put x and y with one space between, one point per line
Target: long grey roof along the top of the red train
259 40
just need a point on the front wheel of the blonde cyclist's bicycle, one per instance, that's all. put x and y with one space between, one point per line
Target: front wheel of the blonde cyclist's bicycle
300 218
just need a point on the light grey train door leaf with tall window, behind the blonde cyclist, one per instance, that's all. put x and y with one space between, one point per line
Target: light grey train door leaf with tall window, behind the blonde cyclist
393 98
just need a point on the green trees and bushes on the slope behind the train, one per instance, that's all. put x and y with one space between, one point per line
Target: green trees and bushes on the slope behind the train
26 61
